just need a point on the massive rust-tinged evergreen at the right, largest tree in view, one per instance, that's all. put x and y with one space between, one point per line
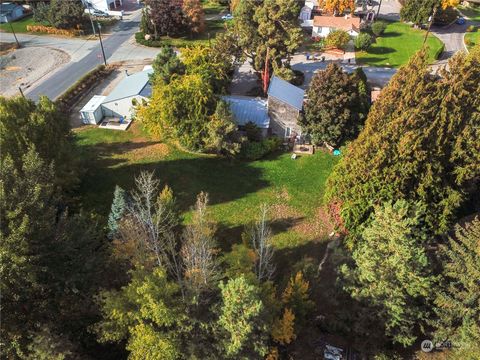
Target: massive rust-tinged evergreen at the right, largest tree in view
419 143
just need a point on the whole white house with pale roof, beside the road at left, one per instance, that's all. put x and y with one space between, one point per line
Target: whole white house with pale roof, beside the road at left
120 103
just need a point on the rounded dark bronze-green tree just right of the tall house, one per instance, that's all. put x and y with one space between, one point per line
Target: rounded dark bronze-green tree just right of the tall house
336 108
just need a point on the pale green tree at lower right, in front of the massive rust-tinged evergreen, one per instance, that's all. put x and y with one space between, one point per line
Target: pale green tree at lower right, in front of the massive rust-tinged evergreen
391 273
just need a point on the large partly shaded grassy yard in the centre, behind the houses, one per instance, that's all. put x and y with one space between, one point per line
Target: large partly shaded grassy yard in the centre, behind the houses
293 189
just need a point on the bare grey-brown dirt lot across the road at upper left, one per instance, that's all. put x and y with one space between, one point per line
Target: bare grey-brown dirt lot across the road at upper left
23 67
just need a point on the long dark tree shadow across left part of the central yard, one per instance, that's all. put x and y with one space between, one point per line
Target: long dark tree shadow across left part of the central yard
107 165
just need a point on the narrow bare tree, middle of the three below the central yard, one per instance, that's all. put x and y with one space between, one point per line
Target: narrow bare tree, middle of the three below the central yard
198 251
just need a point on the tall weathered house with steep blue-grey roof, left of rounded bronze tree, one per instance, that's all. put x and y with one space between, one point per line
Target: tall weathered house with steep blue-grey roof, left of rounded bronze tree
285 104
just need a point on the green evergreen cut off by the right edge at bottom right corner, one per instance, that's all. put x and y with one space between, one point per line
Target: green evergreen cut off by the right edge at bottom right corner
458 303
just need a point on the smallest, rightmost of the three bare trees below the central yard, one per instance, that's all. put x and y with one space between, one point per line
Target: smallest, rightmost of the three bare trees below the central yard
260 235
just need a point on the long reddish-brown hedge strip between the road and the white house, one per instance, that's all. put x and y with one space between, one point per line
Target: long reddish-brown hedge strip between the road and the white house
75 92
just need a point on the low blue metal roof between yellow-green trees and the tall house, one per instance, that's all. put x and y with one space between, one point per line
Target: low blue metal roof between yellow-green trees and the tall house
247 109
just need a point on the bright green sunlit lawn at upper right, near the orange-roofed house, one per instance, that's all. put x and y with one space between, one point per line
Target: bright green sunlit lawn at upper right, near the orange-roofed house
396 46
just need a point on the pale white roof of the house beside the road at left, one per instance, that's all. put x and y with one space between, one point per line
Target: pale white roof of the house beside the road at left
132 85
